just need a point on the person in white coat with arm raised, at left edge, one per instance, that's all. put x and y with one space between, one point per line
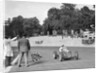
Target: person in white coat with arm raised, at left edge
8 52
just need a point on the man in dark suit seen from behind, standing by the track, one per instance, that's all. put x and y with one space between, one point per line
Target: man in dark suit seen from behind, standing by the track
23 47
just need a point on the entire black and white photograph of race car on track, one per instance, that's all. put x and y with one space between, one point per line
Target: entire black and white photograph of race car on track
44 36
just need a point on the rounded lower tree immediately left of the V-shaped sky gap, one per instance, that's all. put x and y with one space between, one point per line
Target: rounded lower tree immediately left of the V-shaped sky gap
31 26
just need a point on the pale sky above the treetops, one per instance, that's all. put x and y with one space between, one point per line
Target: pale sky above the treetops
31 9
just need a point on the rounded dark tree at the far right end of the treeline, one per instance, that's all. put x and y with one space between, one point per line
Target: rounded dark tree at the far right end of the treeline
86 19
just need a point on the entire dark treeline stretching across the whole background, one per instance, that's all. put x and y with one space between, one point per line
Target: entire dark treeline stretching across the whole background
66 18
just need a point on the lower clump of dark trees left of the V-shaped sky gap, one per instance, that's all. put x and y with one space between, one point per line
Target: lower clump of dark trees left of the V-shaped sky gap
19 25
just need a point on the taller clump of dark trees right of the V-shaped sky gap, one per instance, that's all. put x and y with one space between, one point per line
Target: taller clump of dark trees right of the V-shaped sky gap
68 18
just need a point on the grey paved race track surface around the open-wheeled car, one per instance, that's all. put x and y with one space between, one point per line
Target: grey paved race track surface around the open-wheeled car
87 60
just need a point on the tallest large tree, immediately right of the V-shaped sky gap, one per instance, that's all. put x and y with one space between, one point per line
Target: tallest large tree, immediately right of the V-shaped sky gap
59 19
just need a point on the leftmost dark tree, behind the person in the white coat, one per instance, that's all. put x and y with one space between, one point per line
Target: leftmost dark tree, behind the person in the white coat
14 27
